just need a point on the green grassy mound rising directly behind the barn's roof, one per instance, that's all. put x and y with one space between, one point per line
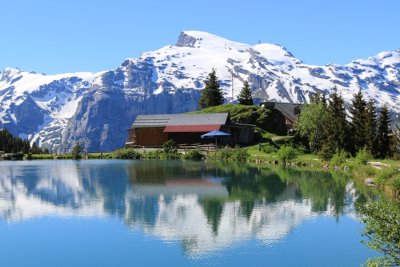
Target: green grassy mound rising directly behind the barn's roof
266 119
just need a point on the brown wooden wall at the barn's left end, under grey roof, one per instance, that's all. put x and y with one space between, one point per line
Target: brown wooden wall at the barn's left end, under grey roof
148 136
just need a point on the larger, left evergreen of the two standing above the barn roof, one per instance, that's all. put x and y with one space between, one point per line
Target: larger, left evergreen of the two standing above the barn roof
211 94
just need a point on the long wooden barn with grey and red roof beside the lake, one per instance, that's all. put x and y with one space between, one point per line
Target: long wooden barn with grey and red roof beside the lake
186 129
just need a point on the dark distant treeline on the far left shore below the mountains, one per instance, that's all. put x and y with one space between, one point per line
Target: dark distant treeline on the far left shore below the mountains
11 144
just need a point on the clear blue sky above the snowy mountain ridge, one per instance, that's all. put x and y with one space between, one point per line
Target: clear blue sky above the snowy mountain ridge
54 36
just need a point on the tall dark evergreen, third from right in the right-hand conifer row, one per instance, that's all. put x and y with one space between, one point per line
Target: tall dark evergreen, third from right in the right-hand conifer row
357 125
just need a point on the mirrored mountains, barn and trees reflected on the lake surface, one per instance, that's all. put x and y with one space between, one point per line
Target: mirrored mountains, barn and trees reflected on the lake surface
206 207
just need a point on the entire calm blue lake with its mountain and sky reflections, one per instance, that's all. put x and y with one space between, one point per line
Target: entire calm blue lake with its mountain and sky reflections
176 213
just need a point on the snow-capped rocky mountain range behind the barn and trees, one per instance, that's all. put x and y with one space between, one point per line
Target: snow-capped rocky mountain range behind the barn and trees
96 109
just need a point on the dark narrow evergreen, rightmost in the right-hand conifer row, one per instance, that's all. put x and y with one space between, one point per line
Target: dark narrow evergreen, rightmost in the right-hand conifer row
383 139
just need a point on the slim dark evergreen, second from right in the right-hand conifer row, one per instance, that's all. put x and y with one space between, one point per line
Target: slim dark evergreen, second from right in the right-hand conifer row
370 127
